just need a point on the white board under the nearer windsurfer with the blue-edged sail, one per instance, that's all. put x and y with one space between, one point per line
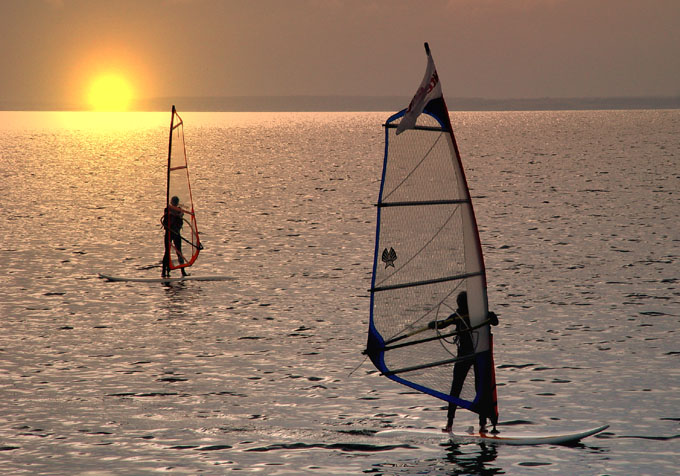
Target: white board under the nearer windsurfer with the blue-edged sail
505 437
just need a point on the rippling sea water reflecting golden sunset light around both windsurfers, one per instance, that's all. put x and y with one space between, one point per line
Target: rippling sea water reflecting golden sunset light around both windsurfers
578 214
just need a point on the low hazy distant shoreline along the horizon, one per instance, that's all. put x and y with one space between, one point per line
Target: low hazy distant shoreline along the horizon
363 103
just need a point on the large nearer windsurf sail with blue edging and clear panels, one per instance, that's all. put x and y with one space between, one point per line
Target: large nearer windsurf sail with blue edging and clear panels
427 251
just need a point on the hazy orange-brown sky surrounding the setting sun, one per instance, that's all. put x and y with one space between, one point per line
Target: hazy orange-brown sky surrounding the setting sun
52 49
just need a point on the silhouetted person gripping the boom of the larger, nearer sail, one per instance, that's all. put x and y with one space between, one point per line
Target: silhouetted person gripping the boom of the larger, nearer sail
466 351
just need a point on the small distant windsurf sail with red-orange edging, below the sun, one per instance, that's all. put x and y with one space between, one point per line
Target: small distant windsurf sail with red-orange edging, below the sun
179 218
